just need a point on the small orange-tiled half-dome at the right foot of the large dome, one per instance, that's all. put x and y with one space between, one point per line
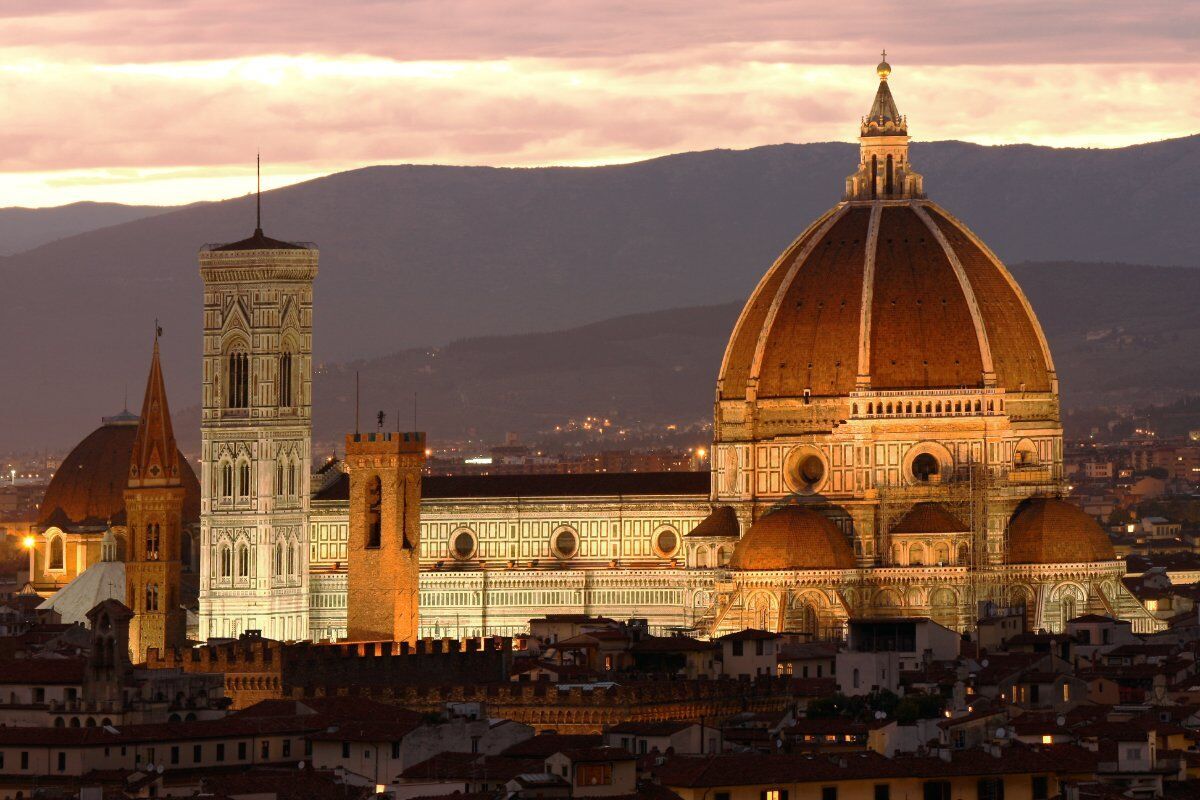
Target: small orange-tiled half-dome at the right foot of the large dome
1049 531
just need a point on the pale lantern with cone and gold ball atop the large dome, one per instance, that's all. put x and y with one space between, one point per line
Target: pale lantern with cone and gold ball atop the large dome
884 170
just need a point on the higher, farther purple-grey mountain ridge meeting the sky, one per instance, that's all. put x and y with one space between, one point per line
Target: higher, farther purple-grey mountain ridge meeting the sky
418 256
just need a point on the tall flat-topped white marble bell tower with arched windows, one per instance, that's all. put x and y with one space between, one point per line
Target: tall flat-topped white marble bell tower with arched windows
256 437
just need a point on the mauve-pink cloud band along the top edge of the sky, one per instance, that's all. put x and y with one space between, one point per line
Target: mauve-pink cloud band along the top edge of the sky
940 32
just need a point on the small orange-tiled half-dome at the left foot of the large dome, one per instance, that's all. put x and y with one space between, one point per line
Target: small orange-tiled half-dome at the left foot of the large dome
794 539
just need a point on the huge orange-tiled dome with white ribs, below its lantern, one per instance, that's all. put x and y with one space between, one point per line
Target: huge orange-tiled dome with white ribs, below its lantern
887 297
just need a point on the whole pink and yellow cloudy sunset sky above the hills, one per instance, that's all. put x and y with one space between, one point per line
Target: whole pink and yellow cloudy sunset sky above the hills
166 101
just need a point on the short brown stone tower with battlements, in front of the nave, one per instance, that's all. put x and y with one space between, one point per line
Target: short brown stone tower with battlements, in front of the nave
386 536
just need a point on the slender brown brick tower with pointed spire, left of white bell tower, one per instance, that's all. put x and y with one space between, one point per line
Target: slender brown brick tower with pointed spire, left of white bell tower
154 507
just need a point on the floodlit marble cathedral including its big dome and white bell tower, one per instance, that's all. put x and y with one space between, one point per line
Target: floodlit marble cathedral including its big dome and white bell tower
887 442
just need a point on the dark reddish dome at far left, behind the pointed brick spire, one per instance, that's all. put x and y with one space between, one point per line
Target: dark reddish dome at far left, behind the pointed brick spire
88 490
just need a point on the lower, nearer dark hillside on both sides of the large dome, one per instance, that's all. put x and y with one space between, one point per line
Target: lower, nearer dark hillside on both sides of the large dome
1130 342
